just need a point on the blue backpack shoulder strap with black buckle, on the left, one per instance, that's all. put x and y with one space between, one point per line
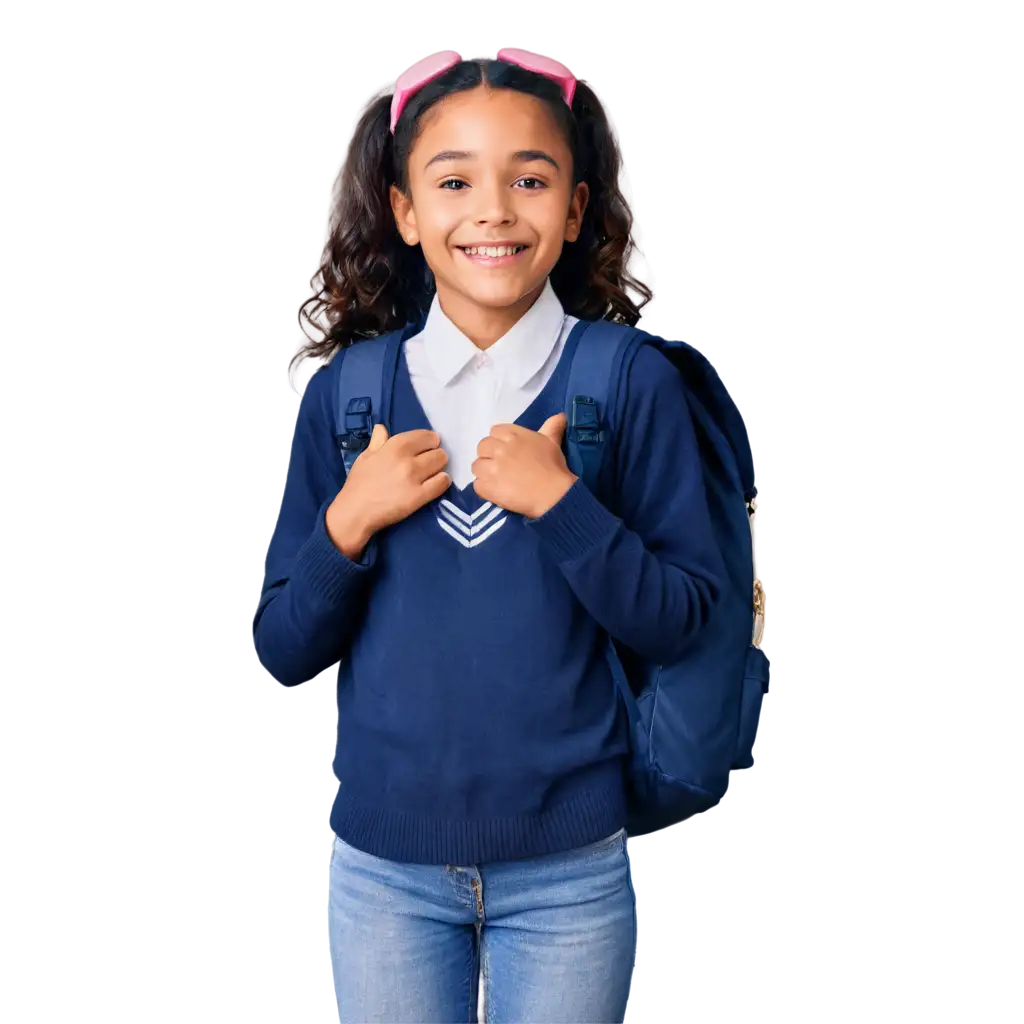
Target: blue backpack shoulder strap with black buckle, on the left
363 399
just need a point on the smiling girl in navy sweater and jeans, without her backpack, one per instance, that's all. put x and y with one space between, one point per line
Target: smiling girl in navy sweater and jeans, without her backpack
458 585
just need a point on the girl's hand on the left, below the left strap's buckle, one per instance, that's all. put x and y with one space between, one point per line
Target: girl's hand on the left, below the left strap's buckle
393 479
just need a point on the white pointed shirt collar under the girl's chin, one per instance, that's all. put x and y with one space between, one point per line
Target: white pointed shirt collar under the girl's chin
520 355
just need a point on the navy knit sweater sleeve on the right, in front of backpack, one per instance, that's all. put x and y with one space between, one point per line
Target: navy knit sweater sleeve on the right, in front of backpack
652 578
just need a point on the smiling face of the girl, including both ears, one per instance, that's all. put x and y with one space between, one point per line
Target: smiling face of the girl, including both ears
491 168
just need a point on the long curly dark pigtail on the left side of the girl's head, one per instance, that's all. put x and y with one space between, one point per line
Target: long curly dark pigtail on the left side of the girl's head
365 280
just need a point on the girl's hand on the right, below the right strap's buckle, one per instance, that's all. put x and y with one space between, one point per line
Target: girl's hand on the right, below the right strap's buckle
523 471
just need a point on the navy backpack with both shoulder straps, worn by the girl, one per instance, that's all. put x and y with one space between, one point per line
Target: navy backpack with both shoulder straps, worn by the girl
693 724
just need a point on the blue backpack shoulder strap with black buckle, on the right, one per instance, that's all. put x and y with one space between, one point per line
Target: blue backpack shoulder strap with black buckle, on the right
592 391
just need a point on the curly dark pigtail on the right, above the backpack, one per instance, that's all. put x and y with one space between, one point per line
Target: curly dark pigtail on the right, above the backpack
590 279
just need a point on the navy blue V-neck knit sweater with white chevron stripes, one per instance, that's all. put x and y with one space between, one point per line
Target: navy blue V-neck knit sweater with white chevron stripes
477 715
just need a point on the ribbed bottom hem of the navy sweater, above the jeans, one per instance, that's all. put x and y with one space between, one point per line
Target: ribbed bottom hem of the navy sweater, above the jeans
590 816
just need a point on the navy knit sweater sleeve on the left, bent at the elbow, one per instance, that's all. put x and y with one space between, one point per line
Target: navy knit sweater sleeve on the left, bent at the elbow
311 593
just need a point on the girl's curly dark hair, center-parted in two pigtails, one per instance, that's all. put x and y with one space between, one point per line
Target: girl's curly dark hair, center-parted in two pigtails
366 281
